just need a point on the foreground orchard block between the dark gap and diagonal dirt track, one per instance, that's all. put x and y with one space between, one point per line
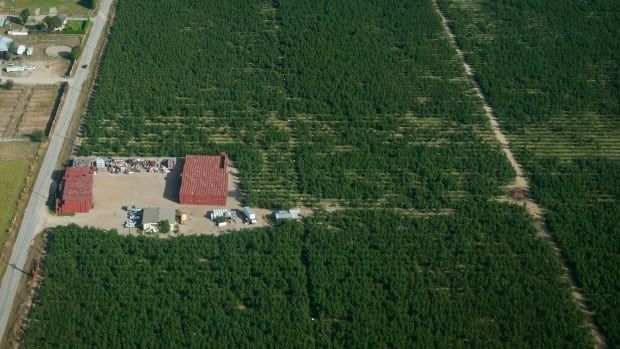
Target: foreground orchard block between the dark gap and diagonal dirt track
478 278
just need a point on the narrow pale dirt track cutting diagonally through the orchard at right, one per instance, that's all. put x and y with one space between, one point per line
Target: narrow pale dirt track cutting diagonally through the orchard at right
522 184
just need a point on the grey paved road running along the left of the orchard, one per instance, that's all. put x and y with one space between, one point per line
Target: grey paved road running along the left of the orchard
36 211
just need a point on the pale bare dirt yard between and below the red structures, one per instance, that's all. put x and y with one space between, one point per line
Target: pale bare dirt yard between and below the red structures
113 191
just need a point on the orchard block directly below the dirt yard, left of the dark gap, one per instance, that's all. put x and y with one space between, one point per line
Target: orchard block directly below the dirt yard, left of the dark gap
240 290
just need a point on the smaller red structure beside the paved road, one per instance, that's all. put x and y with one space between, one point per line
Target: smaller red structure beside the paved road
76 190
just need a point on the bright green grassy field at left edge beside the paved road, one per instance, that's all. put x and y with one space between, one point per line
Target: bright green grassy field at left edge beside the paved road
12 176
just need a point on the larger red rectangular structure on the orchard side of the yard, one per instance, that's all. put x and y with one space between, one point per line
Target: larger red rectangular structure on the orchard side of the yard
204 180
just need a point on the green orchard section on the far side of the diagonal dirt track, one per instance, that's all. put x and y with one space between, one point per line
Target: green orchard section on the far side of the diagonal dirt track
555 63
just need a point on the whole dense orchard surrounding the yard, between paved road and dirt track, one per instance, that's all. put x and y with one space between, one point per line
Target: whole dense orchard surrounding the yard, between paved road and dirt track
363 103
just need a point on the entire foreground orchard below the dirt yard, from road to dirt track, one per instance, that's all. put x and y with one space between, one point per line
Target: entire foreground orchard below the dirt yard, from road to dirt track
477 278
